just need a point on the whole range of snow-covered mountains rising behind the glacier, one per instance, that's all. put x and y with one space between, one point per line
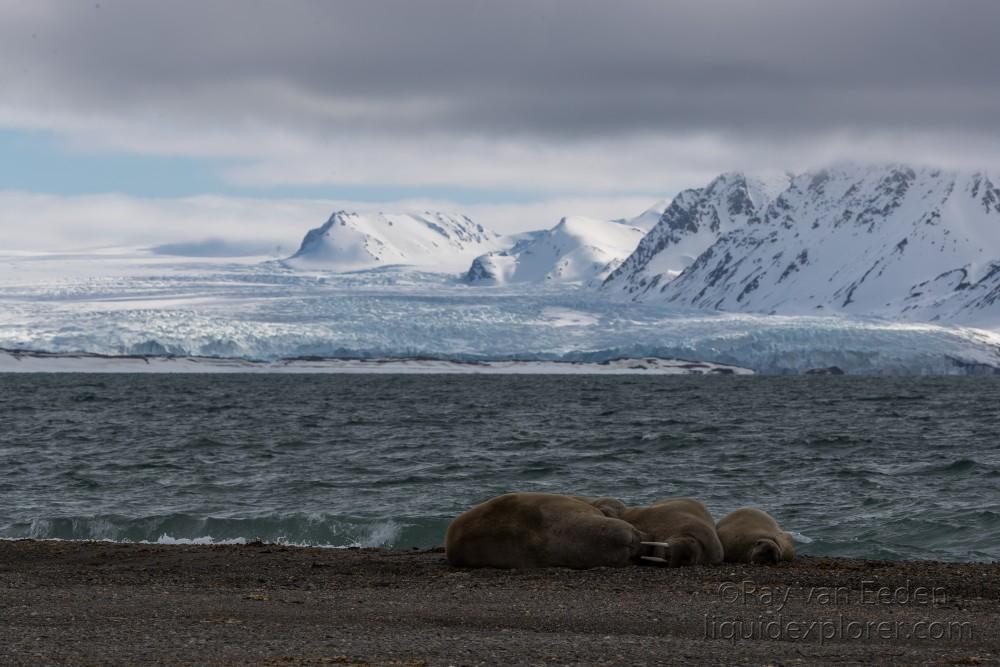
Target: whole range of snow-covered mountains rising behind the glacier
891 241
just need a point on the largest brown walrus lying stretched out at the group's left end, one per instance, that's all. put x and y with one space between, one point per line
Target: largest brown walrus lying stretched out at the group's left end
523 530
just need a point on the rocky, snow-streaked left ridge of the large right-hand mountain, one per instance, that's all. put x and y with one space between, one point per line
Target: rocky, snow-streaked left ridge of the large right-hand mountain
693 221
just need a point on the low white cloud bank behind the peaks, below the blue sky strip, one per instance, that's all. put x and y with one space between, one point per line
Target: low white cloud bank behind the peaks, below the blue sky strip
47 223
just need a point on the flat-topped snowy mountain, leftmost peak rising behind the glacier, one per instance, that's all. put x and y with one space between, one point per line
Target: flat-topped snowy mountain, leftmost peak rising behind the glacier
351 241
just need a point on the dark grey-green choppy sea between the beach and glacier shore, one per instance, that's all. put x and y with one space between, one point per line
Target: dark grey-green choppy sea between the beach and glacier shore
869 467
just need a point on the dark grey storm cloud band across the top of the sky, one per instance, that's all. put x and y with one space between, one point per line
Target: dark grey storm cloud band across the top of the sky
534 68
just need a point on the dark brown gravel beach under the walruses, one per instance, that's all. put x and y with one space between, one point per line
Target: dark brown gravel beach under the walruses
95 603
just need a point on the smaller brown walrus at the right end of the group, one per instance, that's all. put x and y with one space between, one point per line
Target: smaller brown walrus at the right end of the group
750 535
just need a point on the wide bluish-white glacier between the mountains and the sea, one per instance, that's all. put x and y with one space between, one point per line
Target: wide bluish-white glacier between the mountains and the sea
268 311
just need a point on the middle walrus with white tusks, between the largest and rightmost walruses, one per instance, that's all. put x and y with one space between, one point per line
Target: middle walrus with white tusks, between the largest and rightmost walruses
684 527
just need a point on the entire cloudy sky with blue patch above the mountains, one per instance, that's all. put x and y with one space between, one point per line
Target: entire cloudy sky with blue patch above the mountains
512 109
